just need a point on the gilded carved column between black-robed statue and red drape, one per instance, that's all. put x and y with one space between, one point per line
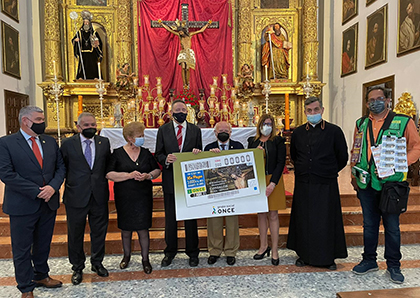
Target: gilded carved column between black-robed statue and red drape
123 36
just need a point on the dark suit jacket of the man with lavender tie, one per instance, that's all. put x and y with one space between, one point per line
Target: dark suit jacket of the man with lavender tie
81 180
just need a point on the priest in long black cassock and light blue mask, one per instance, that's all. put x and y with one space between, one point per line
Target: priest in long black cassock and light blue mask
319 151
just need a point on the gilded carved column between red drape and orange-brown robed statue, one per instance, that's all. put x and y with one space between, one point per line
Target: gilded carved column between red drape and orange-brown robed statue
245 31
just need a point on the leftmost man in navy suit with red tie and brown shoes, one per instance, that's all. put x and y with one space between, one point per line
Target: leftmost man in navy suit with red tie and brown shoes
32 169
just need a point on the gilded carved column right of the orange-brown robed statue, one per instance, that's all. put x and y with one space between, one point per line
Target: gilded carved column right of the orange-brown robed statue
310 38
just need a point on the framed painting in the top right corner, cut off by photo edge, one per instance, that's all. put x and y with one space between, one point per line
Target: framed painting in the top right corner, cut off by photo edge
408 44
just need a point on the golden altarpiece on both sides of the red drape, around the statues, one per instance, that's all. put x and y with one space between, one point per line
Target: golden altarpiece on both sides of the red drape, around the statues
115 22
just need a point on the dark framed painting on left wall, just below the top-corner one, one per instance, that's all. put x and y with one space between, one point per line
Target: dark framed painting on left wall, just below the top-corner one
11 55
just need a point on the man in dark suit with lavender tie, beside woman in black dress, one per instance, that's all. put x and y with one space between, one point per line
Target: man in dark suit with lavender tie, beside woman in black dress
86 156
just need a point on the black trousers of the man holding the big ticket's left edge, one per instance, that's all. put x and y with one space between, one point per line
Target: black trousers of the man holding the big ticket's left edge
171 231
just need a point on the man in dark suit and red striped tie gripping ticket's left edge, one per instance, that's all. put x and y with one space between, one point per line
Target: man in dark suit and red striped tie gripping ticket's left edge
177 136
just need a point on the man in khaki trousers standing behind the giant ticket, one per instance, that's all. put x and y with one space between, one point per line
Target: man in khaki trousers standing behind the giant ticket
223 131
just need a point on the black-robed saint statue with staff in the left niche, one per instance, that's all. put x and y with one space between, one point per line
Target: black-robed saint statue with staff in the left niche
87 47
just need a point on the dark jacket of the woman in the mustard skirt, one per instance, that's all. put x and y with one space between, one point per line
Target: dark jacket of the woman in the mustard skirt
275 152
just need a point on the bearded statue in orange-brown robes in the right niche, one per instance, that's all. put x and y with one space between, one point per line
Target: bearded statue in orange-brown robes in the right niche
275 52
